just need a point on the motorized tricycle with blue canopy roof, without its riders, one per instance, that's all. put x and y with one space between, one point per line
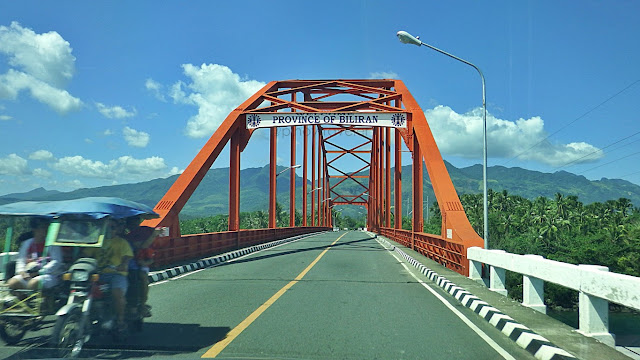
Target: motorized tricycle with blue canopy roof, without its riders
77 225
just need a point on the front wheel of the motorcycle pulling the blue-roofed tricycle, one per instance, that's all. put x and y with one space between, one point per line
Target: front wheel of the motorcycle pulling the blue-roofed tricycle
67 335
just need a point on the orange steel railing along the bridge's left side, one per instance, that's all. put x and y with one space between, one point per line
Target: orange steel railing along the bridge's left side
189 247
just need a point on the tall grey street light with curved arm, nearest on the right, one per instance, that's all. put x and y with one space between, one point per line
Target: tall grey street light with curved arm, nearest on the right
407 38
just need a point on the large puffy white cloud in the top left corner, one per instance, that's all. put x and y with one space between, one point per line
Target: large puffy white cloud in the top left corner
40 63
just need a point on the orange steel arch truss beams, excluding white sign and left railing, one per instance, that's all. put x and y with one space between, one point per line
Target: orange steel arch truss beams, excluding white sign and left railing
326 96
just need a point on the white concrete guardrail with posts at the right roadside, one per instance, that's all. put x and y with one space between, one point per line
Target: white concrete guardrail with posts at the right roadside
596 285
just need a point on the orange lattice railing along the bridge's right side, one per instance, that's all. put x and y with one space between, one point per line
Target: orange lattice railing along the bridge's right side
446 252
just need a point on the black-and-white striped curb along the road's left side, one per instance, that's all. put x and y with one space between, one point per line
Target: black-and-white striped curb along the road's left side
219 259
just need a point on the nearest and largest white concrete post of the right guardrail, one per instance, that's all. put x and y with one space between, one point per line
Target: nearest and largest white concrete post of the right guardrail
594 313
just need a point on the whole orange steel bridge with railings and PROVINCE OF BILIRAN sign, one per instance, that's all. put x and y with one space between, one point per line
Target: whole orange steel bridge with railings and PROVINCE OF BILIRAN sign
381 115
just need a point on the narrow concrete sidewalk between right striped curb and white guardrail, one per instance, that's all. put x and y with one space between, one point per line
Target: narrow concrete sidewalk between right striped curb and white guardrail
560 334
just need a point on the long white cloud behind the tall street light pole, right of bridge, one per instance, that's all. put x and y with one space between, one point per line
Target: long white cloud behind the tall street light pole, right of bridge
461 135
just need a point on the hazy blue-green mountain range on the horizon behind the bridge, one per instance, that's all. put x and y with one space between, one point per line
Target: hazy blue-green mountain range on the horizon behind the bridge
211 196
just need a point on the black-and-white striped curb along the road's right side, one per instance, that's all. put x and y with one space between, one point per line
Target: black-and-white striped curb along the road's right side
540 347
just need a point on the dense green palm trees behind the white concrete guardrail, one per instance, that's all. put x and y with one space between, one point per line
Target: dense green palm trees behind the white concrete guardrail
561 229
